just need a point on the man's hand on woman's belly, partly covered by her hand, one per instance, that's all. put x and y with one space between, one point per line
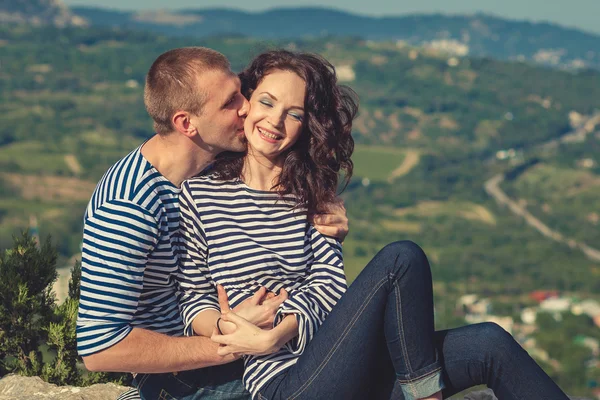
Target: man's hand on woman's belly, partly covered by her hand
260 309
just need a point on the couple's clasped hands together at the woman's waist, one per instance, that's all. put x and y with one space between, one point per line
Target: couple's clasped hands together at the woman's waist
247 329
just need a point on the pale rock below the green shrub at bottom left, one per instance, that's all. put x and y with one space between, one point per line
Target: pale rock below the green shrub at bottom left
15 387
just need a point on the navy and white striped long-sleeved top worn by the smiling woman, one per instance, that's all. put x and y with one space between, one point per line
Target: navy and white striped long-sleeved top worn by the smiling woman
243 239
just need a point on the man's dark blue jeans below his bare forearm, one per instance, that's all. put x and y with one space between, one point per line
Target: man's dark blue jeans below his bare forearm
218 383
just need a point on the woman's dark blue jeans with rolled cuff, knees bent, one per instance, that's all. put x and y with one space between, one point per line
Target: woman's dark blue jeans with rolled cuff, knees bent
379 342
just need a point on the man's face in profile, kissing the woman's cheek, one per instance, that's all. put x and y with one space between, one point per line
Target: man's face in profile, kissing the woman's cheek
221 122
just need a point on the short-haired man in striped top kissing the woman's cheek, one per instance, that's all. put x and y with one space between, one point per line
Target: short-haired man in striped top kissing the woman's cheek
129 318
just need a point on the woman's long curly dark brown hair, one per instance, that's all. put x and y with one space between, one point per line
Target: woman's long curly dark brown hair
313 164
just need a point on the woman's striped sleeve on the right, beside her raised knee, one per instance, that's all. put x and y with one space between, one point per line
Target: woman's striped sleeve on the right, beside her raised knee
321 290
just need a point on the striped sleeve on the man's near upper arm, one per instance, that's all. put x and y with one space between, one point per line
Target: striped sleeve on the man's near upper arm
117 240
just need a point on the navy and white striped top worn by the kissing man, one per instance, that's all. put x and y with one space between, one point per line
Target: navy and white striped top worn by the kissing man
129 258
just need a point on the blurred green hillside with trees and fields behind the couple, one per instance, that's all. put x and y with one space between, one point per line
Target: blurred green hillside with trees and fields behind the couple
428 135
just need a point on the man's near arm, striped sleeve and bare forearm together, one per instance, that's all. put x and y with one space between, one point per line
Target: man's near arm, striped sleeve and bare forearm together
117 241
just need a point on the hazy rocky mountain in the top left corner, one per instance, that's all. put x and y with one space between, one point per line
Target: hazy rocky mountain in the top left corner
38 12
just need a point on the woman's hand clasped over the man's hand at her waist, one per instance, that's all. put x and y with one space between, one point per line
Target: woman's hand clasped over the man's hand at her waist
246 338
